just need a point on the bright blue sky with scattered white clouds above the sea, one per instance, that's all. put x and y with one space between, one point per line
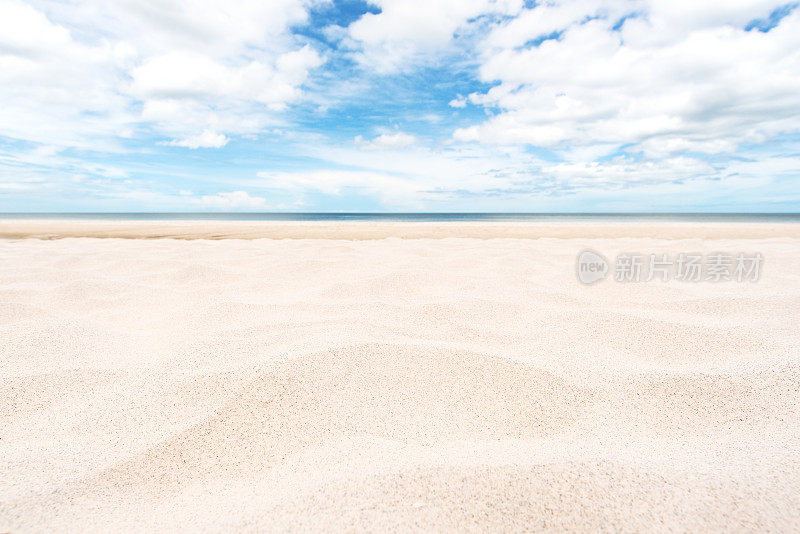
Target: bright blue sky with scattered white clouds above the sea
399 106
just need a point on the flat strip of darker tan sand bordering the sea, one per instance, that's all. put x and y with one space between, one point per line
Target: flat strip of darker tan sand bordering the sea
368 230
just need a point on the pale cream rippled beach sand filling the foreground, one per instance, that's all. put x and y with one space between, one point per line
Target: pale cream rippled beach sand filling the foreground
370 382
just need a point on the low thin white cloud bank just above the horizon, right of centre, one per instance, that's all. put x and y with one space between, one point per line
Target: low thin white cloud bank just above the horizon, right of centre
495 177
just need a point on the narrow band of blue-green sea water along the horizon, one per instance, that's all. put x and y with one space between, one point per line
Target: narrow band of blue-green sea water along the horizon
422 217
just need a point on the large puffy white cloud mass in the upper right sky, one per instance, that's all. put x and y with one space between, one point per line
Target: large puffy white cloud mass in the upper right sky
676 76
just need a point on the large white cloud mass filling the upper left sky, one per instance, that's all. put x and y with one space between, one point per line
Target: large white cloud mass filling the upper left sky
78 74
